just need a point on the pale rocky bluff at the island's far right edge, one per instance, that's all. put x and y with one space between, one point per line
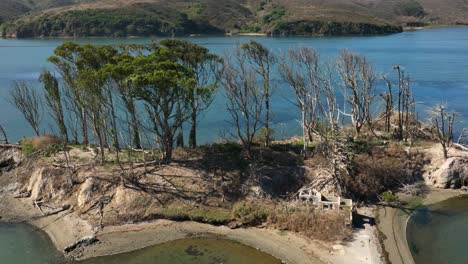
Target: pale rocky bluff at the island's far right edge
452 174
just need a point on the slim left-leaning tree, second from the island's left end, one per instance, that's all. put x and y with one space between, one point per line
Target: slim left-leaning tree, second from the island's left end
54 101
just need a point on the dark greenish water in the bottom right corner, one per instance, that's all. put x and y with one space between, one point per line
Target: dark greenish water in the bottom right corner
439 233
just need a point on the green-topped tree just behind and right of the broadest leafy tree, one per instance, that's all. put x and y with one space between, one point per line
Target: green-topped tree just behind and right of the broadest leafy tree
203 67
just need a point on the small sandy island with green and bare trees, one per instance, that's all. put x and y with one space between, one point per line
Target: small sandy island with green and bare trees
121 173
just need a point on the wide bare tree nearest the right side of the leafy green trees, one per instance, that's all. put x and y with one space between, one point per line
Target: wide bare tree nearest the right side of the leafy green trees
245 98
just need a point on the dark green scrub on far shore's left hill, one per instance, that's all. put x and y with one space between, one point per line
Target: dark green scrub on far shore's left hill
101 22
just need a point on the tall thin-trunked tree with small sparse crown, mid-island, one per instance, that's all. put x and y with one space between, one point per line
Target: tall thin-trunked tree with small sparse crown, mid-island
262 61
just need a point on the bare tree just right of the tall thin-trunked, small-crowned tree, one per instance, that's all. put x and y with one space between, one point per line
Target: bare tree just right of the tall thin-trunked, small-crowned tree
300 70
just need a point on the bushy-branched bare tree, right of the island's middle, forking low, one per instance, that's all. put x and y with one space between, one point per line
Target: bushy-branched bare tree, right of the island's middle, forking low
358 79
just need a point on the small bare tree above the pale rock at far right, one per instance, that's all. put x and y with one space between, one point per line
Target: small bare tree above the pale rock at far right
442 122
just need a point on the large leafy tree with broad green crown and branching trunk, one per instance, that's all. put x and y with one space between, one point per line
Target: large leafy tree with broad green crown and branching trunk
163 84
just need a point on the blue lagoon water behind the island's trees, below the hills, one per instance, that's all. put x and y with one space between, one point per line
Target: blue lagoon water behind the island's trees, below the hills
436 59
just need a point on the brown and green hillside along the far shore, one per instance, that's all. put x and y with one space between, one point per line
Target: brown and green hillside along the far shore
119 18
